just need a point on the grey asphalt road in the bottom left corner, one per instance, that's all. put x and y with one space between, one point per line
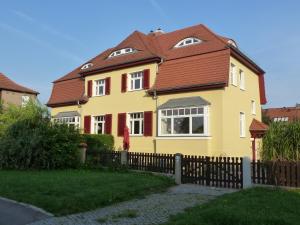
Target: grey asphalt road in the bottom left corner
14 213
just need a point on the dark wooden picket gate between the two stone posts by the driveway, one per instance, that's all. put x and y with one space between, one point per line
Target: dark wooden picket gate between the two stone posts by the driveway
212 171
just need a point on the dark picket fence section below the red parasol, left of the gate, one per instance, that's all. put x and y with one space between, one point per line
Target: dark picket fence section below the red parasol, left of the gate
162 163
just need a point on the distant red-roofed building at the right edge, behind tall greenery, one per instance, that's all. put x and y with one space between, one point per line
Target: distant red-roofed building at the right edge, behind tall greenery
284 114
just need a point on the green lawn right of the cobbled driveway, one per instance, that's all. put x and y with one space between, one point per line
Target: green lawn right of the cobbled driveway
257 206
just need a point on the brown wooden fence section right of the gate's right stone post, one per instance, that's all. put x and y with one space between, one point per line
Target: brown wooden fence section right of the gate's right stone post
279 173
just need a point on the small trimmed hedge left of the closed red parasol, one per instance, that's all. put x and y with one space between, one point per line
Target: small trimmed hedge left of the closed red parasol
97 142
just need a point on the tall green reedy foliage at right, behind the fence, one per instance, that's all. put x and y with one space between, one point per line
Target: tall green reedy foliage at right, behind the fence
282 141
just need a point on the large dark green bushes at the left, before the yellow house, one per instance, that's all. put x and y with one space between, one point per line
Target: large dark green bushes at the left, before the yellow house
29 140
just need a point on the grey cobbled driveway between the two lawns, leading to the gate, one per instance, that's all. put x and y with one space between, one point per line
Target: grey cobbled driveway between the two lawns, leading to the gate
153 209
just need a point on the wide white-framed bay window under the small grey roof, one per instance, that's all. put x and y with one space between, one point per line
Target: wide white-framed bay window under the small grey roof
189 121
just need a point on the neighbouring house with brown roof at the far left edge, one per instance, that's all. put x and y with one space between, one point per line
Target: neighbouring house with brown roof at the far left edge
13 93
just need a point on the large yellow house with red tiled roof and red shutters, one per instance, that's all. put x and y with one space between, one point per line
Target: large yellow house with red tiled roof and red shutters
189 91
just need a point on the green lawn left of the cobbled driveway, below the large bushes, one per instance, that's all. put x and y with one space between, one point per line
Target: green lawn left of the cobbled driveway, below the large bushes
71 191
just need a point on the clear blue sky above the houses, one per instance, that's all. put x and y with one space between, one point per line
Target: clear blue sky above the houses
41 41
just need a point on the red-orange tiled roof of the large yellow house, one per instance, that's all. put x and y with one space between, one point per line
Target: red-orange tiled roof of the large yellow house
207 64
